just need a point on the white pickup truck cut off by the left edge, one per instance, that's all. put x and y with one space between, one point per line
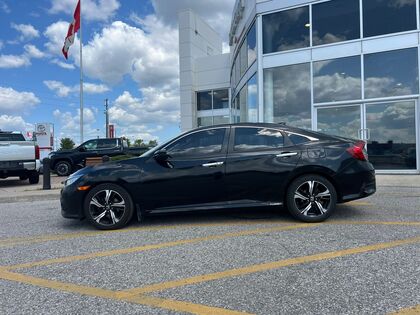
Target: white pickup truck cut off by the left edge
18 157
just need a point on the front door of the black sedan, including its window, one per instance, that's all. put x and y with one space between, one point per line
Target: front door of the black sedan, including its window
193 173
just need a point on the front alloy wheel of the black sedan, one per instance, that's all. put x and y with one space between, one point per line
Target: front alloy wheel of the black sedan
107 207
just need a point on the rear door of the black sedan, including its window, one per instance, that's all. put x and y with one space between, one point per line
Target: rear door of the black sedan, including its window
258 162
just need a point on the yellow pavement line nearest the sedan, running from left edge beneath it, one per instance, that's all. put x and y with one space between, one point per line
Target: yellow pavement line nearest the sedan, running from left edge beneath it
58 237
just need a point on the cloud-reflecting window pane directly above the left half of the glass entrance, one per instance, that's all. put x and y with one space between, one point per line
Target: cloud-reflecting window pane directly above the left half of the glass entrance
337 80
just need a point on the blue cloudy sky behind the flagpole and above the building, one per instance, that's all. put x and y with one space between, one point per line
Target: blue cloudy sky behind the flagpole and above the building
130 57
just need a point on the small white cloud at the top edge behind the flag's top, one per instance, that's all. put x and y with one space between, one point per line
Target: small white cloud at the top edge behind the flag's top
93 10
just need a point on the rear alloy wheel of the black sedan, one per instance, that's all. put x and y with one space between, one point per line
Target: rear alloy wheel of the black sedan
312 198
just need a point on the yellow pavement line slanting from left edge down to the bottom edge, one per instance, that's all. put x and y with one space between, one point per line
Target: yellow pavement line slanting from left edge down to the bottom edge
109 294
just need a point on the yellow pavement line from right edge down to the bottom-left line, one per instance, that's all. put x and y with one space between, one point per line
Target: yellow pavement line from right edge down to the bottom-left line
265 267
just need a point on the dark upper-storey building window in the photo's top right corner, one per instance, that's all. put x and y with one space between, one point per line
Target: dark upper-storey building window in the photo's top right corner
388 16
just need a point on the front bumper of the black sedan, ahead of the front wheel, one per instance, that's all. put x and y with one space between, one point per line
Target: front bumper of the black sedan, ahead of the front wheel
72 202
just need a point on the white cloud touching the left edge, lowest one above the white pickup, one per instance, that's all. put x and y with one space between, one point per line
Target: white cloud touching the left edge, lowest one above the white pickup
12 101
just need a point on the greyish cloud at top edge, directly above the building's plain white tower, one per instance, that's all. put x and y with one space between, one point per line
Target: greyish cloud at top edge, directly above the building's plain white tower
216 13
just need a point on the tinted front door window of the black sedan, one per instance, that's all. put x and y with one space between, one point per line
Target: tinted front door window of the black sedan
199 143
